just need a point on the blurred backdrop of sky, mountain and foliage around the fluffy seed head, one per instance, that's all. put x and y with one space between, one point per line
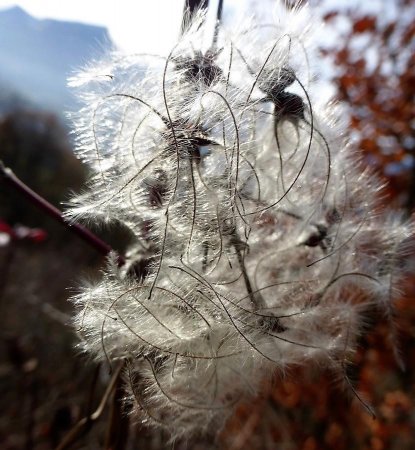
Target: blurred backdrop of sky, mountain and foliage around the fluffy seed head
367 62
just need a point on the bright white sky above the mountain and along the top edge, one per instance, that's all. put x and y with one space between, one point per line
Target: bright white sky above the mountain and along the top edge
152 25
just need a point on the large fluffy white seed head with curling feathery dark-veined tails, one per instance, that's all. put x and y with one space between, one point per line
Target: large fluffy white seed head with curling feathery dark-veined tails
258 241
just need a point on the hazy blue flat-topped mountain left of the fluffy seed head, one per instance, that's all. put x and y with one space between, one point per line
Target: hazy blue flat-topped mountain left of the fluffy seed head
37 56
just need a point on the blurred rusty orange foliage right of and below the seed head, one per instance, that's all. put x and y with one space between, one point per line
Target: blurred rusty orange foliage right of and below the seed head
306 411
